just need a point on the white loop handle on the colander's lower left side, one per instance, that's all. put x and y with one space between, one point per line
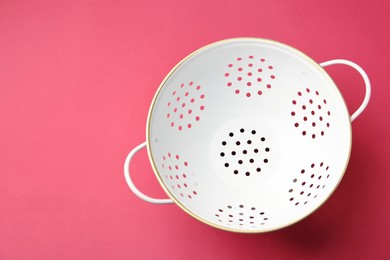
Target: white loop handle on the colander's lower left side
131 184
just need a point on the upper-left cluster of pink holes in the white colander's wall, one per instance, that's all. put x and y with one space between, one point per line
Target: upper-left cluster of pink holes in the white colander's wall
185 106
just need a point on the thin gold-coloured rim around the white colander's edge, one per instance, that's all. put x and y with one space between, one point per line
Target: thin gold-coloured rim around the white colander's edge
177 202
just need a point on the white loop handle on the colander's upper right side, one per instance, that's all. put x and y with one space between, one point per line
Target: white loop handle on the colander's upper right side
365 78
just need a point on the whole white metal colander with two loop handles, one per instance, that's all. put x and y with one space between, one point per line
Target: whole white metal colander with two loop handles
248 135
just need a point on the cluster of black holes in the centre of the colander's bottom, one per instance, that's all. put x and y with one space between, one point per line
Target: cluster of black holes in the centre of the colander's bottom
244 152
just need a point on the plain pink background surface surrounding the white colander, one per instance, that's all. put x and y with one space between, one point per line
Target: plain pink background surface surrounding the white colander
76 82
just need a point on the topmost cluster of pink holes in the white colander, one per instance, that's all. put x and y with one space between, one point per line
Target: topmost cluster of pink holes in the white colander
249 75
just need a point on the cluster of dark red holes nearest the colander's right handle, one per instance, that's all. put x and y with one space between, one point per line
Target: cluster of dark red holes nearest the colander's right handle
310 113
